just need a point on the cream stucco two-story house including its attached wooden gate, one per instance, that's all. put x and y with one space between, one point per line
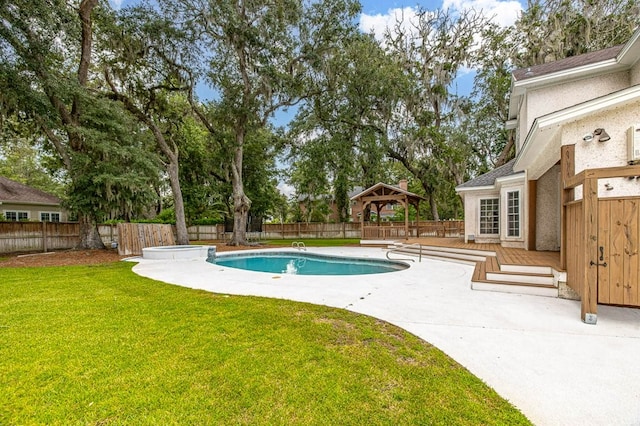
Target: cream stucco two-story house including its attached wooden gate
574 186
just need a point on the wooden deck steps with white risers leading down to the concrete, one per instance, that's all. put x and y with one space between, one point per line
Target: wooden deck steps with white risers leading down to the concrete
490 274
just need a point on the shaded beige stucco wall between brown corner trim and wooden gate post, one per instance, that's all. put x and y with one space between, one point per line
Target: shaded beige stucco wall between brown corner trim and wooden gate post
548 211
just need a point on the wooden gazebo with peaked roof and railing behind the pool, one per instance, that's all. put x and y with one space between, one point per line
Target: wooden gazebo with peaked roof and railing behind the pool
380 195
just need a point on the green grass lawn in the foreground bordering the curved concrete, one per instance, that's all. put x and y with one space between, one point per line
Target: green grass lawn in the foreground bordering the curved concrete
101 345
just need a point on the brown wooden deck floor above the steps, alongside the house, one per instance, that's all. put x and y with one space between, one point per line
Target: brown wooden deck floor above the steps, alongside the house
505 256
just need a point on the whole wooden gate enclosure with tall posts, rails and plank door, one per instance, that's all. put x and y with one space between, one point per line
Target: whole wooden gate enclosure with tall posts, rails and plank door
599 231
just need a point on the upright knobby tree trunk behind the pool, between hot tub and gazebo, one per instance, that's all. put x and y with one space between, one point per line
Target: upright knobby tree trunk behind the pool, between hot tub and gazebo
241 203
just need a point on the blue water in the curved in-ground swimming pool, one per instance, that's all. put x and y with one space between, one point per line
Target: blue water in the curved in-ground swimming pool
306 264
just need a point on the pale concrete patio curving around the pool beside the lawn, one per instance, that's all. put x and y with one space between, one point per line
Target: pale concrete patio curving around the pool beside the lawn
534 351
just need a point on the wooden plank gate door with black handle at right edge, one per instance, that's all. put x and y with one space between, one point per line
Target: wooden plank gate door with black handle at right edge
617 256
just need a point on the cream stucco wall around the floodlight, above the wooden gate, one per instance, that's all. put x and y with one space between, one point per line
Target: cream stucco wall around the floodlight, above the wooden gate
594 154
